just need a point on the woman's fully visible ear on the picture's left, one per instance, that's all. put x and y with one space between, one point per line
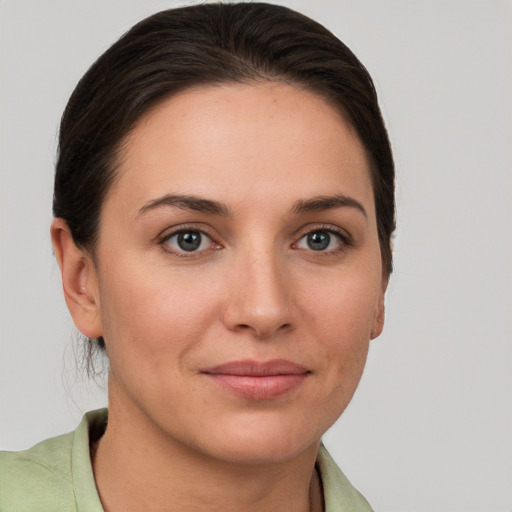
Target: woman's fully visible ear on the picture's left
79 280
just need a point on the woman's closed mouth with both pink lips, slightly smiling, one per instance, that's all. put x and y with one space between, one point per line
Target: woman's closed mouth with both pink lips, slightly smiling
258 380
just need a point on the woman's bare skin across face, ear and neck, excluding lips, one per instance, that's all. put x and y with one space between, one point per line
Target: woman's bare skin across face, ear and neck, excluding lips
254 290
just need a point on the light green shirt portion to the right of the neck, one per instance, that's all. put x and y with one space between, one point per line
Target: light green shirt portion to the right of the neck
339 494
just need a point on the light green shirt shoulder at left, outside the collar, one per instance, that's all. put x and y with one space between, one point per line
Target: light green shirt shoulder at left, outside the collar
38 478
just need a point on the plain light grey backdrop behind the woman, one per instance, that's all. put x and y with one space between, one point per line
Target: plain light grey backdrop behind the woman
430 428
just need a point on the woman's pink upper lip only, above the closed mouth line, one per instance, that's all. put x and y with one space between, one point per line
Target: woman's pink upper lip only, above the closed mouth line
257 368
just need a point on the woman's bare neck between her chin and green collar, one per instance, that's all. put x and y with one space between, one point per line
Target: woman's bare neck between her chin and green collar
138 467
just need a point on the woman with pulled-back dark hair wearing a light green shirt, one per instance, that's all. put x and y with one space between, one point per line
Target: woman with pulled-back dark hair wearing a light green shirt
223 214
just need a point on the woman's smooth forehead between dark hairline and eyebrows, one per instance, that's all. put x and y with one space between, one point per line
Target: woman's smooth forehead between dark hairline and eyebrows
243 141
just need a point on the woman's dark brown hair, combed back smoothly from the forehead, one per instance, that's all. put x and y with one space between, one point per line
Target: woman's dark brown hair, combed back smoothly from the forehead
208 44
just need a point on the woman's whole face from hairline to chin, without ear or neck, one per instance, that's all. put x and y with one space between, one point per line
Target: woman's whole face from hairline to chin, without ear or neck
238 275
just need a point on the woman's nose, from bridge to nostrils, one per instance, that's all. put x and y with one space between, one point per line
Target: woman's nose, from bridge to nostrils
258 301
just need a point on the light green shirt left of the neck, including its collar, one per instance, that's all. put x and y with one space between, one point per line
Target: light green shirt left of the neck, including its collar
53 475
